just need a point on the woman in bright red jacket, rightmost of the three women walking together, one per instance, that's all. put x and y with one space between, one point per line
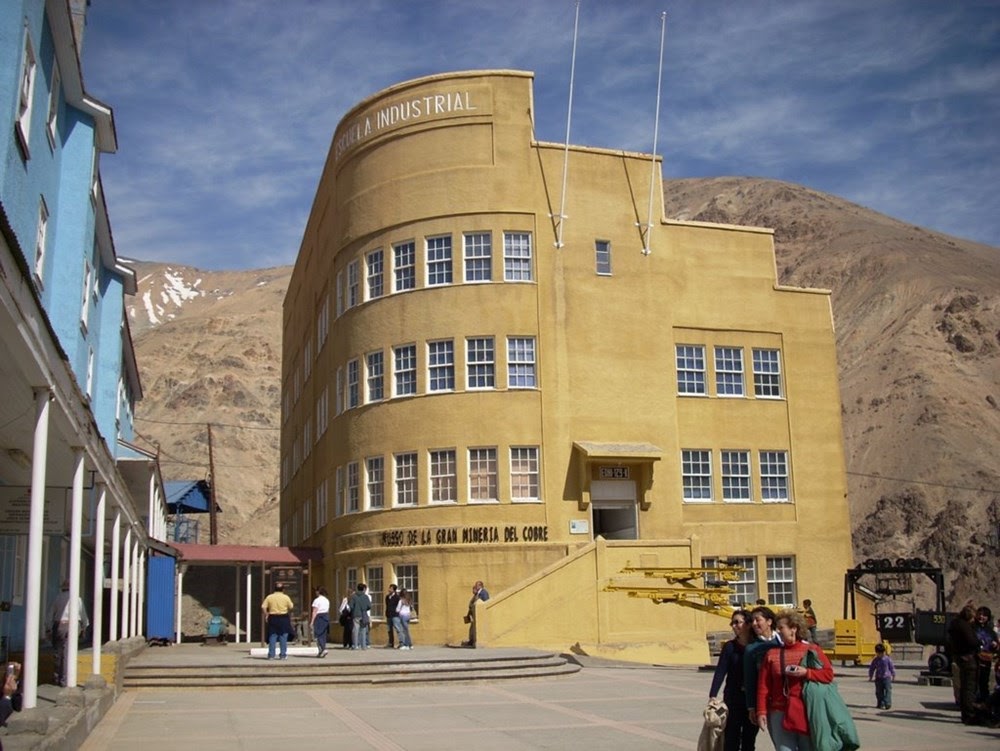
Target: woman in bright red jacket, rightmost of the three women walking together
780 710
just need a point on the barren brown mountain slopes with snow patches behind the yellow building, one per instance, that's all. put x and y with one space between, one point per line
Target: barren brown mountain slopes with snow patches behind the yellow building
917 315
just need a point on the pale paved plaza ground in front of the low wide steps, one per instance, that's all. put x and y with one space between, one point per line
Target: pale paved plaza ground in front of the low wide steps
606 705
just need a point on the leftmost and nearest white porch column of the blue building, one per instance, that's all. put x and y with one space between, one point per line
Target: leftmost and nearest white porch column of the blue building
33 588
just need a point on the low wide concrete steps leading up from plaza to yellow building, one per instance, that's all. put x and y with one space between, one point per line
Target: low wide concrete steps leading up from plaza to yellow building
347 668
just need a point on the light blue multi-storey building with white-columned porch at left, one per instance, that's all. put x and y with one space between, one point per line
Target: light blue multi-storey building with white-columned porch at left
79 502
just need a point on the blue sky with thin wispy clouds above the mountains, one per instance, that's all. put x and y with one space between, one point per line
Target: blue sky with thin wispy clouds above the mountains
225 109
